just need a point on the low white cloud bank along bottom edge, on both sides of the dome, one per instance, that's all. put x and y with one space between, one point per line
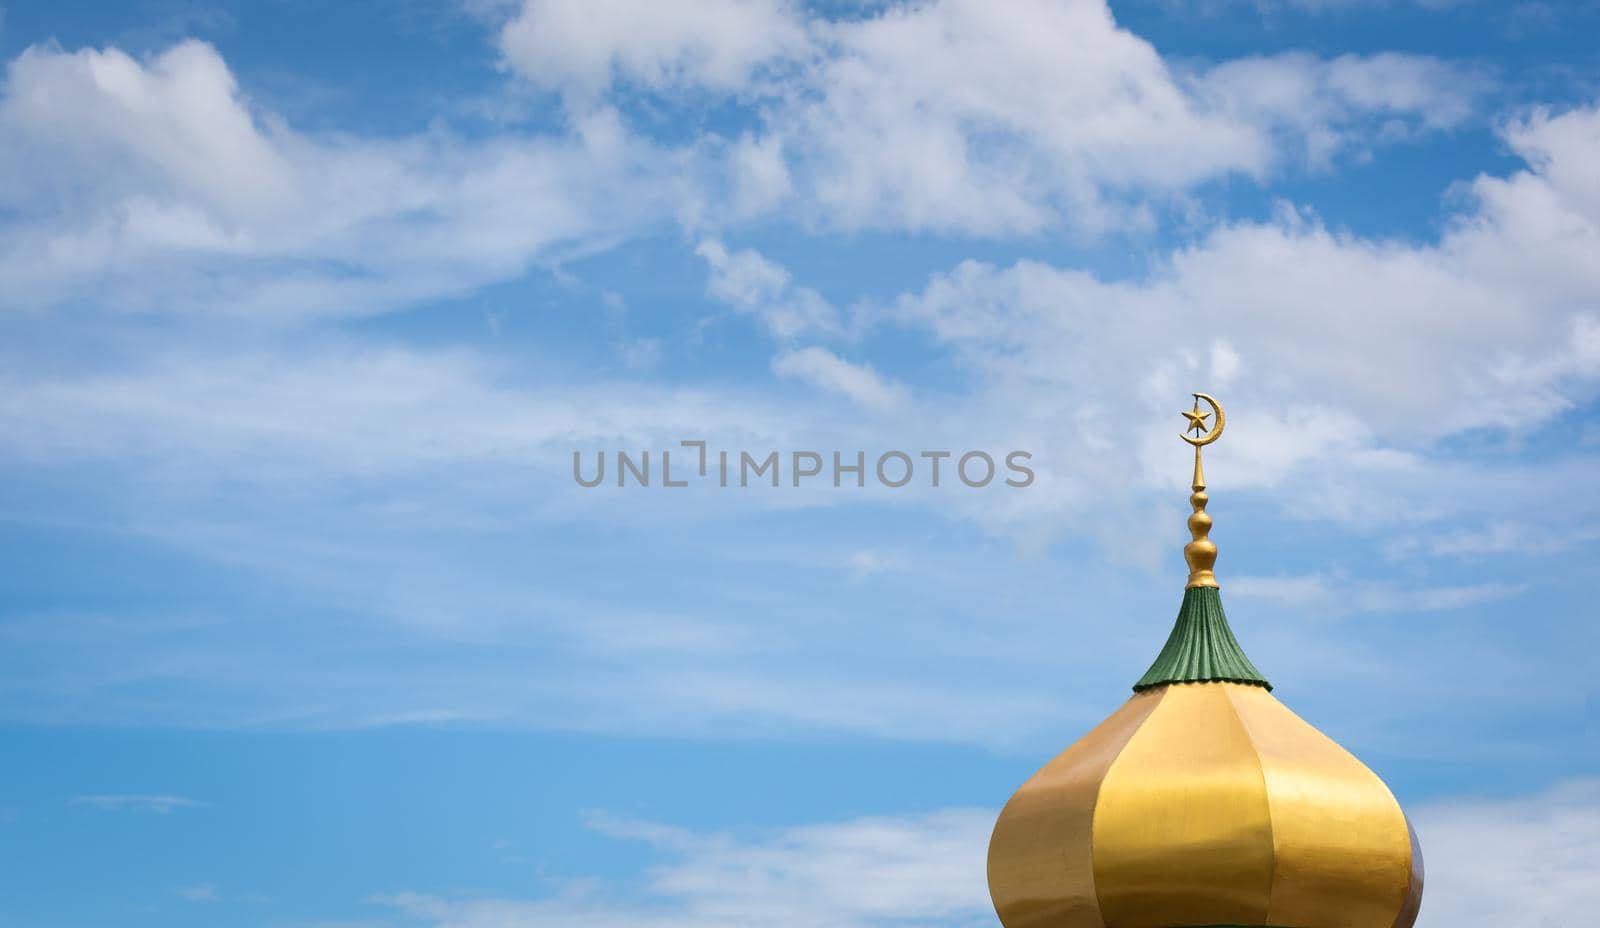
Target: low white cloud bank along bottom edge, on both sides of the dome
1521 862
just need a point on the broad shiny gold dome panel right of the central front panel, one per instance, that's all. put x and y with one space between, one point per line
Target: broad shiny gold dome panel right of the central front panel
1342 847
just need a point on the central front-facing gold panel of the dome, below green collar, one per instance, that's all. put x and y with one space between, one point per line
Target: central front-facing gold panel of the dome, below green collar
1183 831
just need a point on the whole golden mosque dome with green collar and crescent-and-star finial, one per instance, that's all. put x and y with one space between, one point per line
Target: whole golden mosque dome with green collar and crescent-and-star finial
1204 802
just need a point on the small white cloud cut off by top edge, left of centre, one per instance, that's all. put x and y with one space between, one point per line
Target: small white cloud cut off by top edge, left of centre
583 46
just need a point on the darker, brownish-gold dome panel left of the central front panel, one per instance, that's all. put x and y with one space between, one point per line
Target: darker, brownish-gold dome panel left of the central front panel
1041 858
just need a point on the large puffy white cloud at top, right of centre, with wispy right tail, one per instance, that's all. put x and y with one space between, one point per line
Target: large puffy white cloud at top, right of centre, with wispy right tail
945 118
